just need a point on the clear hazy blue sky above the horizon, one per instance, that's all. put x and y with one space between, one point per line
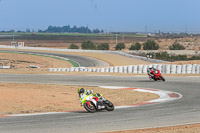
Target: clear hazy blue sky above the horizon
109 15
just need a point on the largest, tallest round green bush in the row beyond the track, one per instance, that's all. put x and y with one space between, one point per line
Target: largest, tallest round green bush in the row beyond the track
150 45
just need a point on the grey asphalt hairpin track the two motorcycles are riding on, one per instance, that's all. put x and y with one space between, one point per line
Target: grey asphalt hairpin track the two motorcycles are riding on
182 111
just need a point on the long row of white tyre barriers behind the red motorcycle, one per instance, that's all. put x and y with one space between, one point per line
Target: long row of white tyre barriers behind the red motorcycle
165 68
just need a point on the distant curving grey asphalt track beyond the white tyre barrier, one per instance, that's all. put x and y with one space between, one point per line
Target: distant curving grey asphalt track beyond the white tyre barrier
83 61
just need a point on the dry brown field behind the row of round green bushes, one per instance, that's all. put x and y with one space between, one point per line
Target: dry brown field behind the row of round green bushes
190 42
